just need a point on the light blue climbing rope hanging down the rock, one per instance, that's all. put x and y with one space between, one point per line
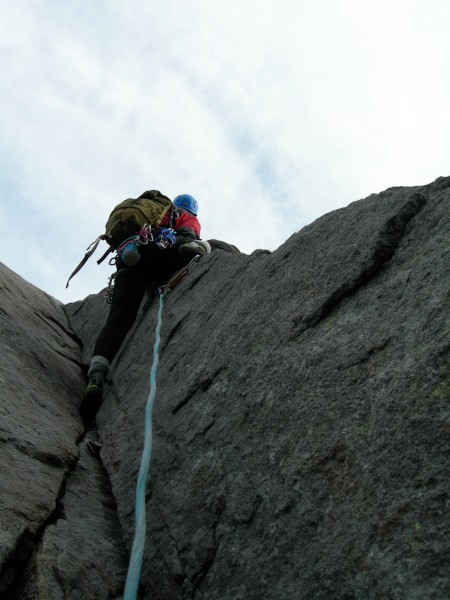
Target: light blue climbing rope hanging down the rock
137 552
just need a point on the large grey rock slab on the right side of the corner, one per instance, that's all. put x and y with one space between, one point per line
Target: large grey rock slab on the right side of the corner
301 423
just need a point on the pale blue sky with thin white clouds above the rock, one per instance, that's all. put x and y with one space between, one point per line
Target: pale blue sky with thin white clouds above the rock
270 112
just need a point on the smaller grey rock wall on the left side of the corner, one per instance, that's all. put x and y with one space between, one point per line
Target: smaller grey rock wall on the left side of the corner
58 522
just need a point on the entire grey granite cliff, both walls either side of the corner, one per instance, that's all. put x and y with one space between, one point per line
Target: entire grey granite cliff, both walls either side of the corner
300 429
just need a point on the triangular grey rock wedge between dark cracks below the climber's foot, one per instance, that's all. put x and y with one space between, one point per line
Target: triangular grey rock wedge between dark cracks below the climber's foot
49 559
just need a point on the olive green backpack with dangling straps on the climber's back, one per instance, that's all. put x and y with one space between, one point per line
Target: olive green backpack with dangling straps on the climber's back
126 220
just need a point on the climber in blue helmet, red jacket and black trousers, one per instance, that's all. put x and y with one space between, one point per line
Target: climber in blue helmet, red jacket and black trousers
154 268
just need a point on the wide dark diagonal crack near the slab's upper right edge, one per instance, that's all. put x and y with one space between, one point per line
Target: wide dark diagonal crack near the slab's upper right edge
385 246
